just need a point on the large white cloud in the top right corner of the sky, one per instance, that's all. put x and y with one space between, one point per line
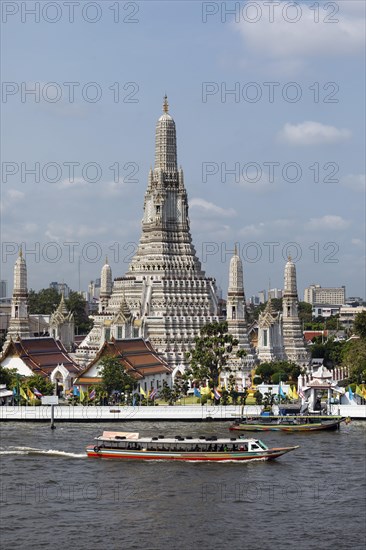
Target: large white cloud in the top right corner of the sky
304 37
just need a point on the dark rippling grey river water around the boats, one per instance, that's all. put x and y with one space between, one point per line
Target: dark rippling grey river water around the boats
52 496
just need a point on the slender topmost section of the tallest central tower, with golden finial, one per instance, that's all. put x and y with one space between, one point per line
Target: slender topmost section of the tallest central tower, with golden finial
166 142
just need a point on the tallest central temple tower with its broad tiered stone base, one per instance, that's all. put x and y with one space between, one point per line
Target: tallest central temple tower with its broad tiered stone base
165 296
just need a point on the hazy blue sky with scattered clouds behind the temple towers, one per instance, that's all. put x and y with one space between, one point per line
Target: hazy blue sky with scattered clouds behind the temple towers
268 100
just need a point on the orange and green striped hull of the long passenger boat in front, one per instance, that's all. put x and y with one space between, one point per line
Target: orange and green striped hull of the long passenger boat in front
244 456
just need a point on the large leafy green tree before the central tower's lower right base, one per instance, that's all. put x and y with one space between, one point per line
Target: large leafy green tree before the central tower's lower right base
211 352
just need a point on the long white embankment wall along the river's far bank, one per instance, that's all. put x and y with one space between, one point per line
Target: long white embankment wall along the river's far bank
65 413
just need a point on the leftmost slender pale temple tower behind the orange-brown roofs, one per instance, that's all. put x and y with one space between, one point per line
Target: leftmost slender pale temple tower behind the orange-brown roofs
19 318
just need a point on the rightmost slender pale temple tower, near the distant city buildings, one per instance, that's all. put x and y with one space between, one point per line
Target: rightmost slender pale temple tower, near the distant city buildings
293 339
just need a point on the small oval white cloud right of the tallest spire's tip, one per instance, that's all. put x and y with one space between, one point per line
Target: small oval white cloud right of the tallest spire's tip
312 133
